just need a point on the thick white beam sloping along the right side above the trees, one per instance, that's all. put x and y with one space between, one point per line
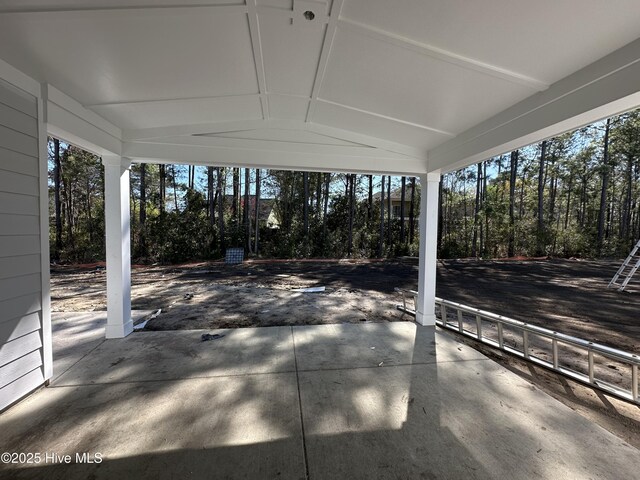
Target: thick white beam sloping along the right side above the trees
607 87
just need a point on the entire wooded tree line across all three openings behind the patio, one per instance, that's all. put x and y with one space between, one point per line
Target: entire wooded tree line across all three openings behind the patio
572 195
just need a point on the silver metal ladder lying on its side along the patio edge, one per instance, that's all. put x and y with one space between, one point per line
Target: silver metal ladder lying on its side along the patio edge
522 339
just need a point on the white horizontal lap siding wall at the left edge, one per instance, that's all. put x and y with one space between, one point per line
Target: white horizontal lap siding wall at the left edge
21 355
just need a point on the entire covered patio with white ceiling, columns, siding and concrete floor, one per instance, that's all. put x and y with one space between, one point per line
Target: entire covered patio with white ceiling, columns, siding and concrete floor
359 86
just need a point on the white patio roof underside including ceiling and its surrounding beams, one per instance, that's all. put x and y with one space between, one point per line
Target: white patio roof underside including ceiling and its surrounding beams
367 86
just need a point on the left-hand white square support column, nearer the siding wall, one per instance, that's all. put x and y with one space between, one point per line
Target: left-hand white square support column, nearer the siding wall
117 217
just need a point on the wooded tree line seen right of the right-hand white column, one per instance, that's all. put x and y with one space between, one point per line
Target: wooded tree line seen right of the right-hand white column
572 195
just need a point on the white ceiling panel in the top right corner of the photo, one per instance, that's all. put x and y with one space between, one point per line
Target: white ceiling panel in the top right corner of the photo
545 40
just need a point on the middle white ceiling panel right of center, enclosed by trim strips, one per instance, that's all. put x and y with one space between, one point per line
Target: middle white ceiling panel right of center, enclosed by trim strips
376 76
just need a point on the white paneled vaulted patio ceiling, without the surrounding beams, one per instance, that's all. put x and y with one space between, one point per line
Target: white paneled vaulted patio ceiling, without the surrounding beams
415 73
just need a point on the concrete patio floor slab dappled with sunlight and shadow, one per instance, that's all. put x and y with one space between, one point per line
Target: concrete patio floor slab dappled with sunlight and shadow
345 401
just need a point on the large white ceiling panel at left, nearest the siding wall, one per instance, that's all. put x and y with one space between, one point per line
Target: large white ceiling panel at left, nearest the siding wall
132 55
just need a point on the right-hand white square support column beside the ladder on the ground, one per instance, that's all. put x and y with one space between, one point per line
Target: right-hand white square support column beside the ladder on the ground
425 310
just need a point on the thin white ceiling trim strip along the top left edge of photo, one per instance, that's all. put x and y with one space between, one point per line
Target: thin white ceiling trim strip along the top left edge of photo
49 8
